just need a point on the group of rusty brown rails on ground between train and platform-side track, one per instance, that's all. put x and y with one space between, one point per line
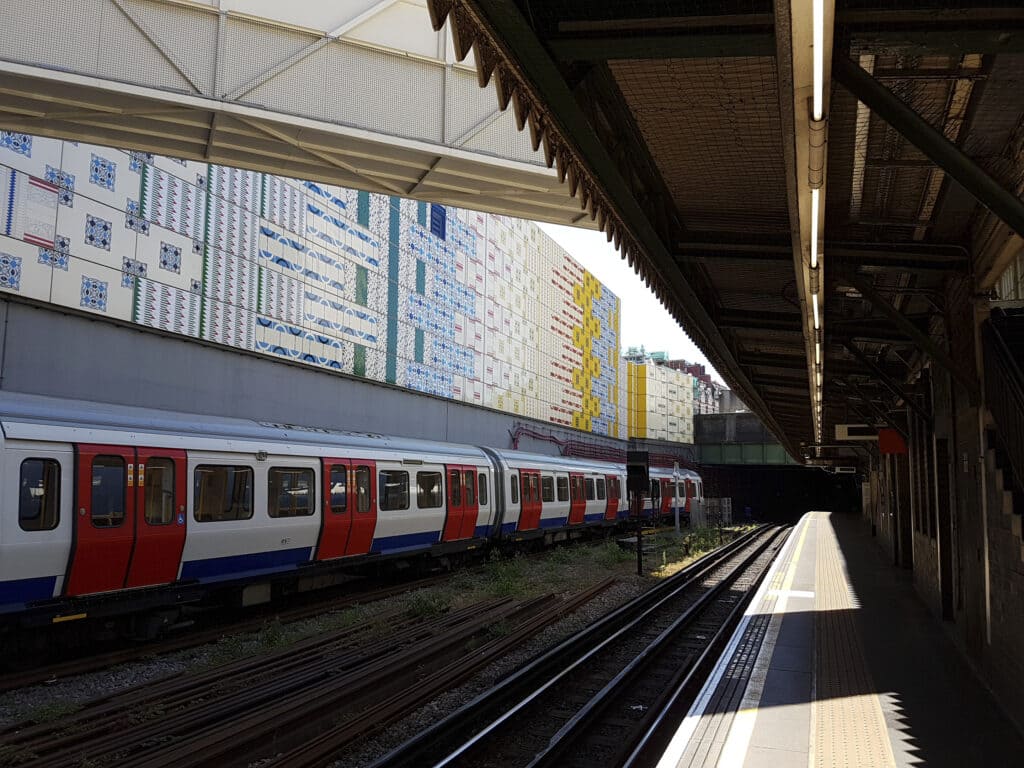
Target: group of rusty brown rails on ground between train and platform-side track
315 697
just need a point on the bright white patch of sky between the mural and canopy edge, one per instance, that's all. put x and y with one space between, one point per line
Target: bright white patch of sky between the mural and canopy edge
645 321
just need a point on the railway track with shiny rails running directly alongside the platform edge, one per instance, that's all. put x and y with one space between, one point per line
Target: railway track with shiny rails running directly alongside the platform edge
590 701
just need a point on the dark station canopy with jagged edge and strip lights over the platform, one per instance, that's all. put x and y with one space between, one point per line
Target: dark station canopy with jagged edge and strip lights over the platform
816 190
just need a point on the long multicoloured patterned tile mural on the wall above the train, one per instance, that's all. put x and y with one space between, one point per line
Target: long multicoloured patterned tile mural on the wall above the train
480 309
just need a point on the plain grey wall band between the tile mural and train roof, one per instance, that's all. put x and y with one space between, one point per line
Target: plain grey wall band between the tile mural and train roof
67 356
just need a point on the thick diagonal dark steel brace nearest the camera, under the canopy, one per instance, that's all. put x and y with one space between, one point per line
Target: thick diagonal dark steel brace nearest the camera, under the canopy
932 143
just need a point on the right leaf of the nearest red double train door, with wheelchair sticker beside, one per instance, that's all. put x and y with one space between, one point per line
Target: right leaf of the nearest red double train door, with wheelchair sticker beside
161 479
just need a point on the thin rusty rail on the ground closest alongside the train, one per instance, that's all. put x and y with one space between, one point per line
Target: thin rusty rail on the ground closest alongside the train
94 663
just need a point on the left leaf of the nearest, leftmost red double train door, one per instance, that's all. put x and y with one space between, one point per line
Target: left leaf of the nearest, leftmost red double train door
105 522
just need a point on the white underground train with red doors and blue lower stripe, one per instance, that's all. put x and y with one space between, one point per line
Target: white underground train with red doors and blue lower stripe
126 510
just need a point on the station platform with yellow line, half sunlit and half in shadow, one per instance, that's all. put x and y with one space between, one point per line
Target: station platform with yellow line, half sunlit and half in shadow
837 663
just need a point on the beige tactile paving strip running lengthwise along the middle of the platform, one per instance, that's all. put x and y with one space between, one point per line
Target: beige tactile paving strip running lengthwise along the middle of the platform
846 716
